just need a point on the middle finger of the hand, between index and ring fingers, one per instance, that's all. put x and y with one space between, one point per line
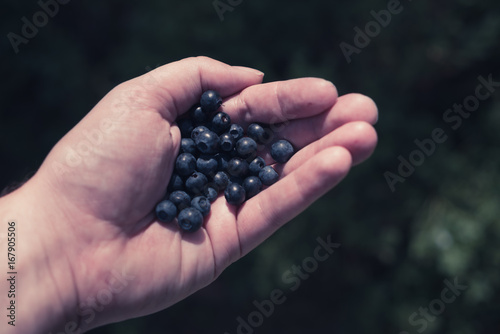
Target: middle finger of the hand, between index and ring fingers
348 108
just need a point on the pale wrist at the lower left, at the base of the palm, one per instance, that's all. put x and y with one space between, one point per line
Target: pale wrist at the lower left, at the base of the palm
43 286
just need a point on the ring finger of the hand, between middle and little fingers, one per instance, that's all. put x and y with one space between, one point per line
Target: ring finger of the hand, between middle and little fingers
359 138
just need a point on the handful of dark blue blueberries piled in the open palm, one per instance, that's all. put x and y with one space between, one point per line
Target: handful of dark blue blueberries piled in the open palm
215 156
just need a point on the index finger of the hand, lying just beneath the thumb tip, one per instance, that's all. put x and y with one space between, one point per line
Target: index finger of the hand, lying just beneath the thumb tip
281 101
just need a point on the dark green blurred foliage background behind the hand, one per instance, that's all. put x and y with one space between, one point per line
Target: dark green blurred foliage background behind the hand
397 247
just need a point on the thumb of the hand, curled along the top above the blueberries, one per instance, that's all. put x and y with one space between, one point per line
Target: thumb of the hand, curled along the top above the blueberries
173 88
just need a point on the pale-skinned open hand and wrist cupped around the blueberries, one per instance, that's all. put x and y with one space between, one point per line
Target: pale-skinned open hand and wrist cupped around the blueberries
86 216
